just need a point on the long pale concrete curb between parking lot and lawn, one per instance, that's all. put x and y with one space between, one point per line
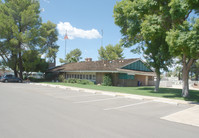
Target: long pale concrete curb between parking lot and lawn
131 96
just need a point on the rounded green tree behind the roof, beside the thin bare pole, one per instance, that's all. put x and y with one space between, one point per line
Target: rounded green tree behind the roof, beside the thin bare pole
110 52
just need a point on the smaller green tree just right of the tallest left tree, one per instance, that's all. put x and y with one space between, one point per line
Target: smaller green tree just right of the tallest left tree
49 36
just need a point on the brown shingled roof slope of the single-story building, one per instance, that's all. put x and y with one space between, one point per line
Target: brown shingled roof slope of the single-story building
103 65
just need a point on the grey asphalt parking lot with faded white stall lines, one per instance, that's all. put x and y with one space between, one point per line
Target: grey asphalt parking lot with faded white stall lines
30 111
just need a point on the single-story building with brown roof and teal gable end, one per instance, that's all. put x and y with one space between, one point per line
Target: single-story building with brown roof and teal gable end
124 72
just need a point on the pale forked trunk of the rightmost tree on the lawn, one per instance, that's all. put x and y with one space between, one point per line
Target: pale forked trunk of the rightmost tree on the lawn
185 75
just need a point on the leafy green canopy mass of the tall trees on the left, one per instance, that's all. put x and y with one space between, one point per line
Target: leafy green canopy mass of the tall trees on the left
22 29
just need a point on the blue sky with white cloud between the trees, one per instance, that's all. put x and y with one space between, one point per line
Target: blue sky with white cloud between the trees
83 21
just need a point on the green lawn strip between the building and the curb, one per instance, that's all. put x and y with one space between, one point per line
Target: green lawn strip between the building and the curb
147 91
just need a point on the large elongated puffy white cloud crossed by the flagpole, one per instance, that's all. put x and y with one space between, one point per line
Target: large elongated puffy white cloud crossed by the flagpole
74 32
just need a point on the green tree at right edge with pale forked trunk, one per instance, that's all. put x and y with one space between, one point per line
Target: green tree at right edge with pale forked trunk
183 38
